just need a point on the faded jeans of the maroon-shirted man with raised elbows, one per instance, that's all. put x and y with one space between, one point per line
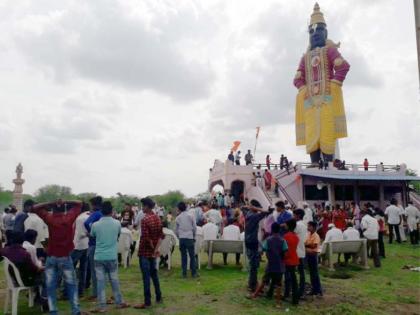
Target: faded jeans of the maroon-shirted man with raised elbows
55 265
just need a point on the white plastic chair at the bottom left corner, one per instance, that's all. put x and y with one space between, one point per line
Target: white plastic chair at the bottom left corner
14 287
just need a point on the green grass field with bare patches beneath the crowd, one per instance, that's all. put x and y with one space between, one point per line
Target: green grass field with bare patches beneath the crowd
387 290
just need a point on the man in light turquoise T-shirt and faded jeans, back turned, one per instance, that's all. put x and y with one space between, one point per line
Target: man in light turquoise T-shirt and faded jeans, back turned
106 232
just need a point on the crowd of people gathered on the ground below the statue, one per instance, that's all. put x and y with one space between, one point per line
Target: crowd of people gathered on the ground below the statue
72 246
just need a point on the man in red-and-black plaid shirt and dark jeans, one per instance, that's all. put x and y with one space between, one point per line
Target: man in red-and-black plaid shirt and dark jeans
151 237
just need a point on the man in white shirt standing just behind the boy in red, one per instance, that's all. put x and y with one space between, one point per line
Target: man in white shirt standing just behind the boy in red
301 231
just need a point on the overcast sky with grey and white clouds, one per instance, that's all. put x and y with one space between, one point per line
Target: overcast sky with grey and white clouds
141 96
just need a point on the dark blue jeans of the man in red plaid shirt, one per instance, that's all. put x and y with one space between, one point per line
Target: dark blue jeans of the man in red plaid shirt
148 270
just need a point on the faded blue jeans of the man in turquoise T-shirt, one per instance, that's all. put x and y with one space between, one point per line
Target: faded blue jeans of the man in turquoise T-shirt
107 268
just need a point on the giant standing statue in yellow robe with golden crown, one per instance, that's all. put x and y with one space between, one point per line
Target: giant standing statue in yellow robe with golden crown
320 116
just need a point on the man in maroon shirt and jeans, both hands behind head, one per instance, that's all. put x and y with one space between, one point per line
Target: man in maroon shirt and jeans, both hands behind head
60 244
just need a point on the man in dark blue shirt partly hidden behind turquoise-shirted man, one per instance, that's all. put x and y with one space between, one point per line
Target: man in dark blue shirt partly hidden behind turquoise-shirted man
96 214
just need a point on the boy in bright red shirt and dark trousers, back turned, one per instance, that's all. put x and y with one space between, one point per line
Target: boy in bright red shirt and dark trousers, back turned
291 260
